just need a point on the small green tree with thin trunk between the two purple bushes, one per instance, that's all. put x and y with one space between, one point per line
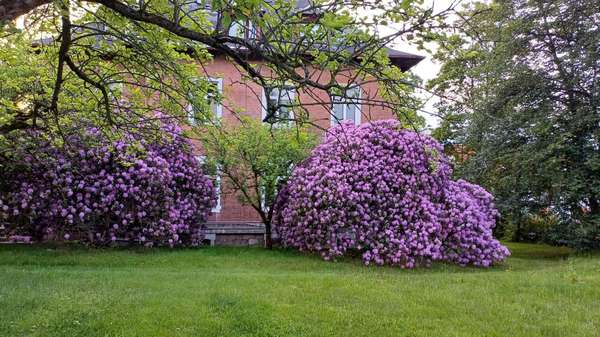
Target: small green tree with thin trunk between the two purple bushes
256 161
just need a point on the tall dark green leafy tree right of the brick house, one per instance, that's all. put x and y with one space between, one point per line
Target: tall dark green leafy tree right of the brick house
520 80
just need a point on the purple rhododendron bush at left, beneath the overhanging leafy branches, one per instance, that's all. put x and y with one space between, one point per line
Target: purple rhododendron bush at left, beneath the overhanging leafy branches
100 191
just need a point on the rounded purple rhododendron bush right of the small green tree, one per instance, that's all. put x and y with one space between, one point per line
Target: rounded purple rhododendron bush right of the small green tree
386 192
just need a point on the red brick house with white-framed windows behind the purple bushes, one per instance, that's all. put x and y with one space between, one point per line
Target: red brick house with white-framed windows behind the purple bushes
234 223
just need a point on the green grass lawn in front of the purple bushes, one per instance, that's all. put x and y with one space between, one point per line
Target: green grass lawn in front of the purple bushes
74 291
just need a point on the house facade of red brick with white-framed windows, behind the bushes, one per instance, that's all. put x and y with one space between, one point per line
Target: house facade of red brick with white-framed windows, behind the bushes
232 222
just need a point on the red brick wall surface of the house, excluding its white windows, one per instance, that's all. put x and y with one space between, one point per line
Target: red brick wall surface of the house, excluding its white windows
244 97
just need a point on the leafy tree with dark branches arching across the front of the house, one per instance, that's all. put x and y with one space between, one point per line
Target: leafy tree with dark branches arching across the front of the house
83 54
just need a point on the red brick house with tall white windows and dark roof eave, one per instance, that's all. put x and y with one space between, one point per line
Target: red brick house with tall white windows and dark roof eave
232 222
